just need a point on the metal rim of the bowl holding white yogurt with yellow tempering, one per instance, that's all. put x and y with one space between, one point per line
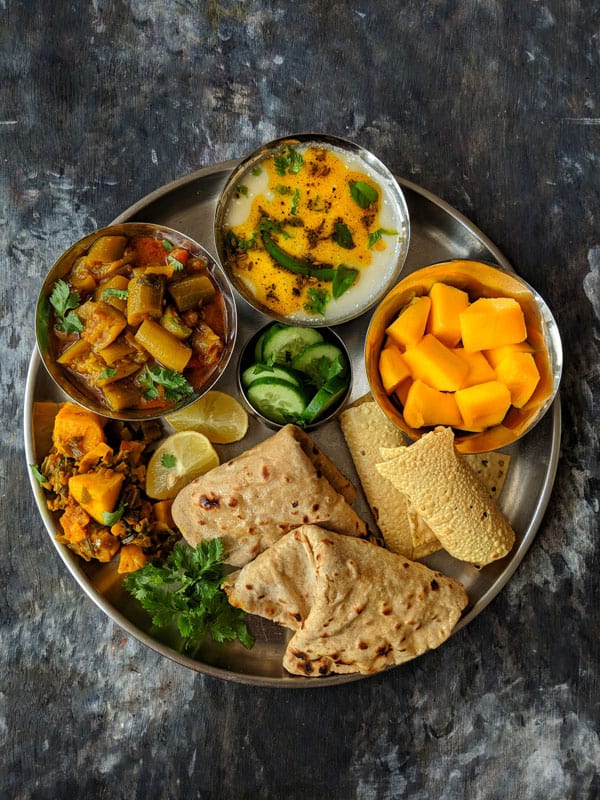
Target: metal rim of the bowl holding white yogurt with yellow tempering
333 141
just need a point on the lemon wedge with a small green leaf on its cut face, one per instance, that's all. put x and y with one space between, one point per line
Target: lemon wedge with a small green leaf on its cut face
182 457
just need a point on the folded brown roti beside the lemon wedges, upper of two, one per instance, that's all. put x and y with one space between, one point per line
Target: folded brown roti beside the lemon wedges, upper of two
254 499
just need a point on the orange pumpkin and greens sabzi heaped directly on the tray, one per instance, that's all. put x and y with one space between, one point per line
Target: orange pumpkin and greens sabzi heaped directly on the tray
94 477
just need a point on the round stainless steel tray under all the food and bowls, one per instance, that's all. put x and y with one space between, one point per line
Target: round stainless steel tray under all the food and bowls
438 233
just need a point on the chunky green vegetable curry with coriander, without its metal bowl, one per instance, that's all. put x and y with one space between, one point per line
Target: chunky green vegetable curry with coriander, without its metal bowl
138 322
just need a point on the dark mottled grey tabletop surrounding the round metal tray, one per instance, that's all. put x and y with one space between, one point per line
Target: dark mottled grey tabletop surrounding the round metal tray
492 106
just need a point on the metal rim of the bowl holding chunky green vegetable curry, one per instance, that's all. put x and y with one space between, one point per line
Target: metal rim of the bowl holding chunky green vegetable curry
61 267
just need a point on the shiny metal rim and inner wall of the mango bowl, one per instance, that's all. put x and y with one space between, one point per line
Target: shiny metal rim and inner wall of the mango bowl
476 441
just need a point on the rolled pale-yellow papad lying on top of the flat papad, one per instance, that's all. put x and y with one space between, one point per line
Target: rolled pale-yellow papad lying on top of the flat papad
450 498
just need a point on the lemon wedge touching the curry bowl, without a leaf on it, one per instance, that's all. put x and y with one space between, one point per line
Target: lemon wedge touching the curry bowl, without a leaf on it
217 415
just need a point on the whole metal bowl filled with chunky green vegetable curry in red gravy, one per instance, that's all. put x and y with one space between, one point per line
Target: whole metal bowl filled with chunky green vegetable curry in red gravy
135 321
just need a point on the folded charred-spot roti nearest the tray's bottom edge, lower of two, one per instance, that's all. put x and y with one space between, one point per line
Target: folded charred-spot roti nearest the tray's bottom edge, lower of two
354 606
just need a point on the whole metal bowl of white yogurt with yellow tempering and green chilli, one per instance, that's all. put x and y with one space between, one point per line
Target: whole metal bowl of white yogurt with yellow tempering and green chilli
312 229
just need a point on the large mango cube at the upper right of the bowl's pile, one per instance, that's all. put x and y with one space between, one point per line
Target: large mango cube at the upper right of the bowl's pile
492 322
